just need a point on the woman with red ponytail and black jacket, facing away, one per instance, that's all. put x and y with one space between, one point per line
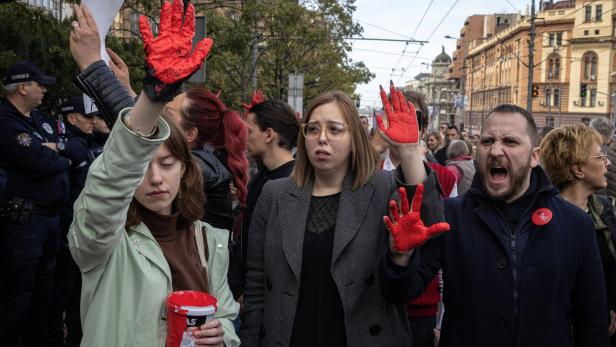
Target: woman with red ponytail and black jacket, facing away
218 138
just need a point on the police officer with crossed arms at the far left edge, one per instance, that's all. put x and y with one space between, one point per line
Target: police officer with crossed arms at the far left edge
36 189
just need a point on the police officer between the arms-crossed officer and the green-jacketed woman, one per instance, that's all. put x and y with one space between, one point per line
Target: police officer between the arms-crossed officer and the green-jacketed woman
80 146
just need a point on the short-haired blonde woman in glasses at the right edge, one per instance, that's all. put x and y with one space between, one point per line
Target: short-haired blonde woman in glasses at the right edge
573 159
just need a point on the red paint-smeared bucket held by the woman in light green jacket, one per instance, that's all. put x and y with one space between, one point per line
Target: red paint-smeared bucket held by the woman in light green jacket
187 309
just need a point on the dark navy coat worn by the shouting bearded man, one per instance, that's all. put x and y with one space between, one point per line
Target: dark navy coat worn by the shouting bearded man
561 299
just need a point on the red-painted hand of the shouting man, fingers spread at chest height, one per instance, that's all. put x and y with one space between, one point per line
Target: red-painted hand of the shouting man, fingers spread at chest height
408 230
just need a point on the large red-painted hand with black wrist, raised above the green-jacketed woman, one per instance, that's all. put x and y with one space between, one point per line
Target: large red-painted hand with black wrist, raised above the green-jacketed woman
168 57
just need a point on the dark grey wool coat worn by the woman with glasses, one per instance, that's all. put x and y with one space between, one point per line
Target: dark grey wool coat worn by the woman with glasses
372 296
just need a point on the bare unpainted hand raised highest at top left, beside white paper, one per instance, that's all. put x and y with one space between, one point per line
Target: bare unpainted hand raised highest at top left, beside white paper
84 40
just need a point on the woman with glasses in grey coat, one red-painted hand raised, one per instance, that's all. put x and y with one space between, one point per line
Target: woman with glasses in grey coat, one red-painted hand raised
321 268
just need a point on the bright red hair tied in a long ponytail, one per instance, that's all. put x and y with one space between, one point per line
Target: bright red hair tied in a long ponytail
220 128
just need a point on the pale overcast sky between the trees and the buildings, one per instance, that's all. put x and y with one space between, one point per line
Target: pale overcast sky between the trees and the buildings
402 19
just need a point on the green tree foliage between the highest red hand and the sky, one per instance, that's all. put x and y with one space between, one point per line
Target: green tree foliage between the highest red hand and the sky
305 37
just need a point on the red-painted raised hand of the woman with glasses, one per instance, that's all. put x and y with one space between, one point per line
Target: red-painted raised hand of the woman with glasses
402 118
